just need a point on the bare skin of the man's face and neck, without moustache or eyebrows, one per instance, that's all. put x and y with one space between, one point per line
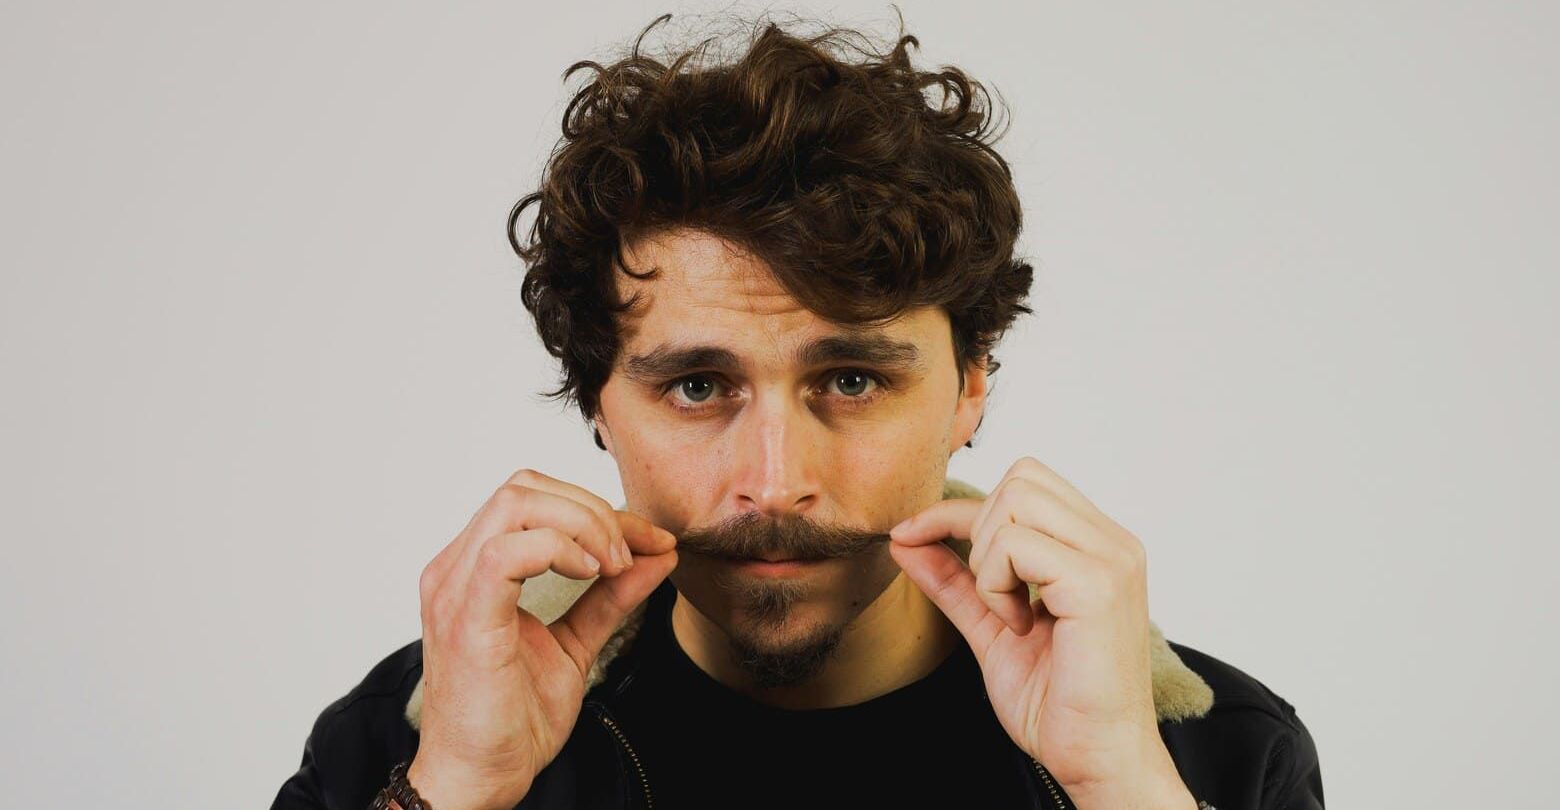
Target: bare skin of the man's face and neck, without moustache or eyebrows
782 438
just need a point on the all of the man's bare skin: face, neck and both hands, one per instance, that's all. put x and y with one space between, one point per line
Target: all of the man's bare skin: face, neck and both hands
821 444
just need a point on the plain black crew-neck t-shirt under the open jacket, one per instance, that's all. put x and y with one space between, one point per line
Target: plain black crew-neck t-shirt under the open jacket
931 744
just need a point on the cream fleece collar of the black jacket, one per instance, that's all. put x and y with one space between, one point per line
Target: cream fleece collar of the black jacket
1180 694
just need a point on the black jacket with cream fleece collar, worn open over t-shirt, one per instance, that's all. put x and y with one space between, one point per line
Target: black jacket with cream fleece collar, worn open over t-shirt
1236 744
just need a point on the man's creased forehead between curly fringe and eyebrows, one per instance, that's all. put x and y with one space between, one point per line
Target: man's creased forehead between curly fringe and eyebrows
711 291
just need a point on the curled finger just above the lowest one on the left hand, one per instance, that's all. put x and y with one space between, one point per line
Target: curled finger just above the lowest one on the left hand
516 510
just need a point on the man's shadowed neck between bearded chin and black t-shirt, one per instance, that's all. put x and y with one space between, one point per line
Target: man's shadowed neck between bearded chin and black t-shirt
896 641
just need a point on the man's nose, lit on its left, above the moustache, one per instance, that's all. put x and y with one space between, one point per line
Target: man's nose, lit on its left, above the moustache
778 458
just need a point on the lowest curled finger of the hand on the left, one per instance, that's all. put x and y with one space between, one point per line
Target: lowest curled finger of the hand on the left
506 561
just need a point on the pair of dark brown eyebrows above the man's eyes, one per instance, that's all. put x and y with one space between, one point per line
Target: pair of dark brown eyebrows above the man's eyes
672 360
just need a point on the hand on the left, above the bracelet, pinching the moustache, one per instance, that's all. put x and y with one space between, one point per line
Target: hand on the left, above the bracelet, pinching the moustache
502 691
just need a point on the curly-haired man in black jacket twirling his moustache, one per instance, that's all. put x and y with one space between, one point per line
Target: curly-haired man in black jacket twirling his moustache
775 286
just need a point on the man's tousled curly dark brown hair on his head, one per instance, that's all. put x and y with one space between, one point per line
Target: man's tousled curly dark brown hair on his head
860 196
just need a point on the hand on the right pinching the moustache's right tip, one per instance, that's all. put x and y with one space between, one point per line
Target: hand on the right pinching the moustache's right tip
1068 675
